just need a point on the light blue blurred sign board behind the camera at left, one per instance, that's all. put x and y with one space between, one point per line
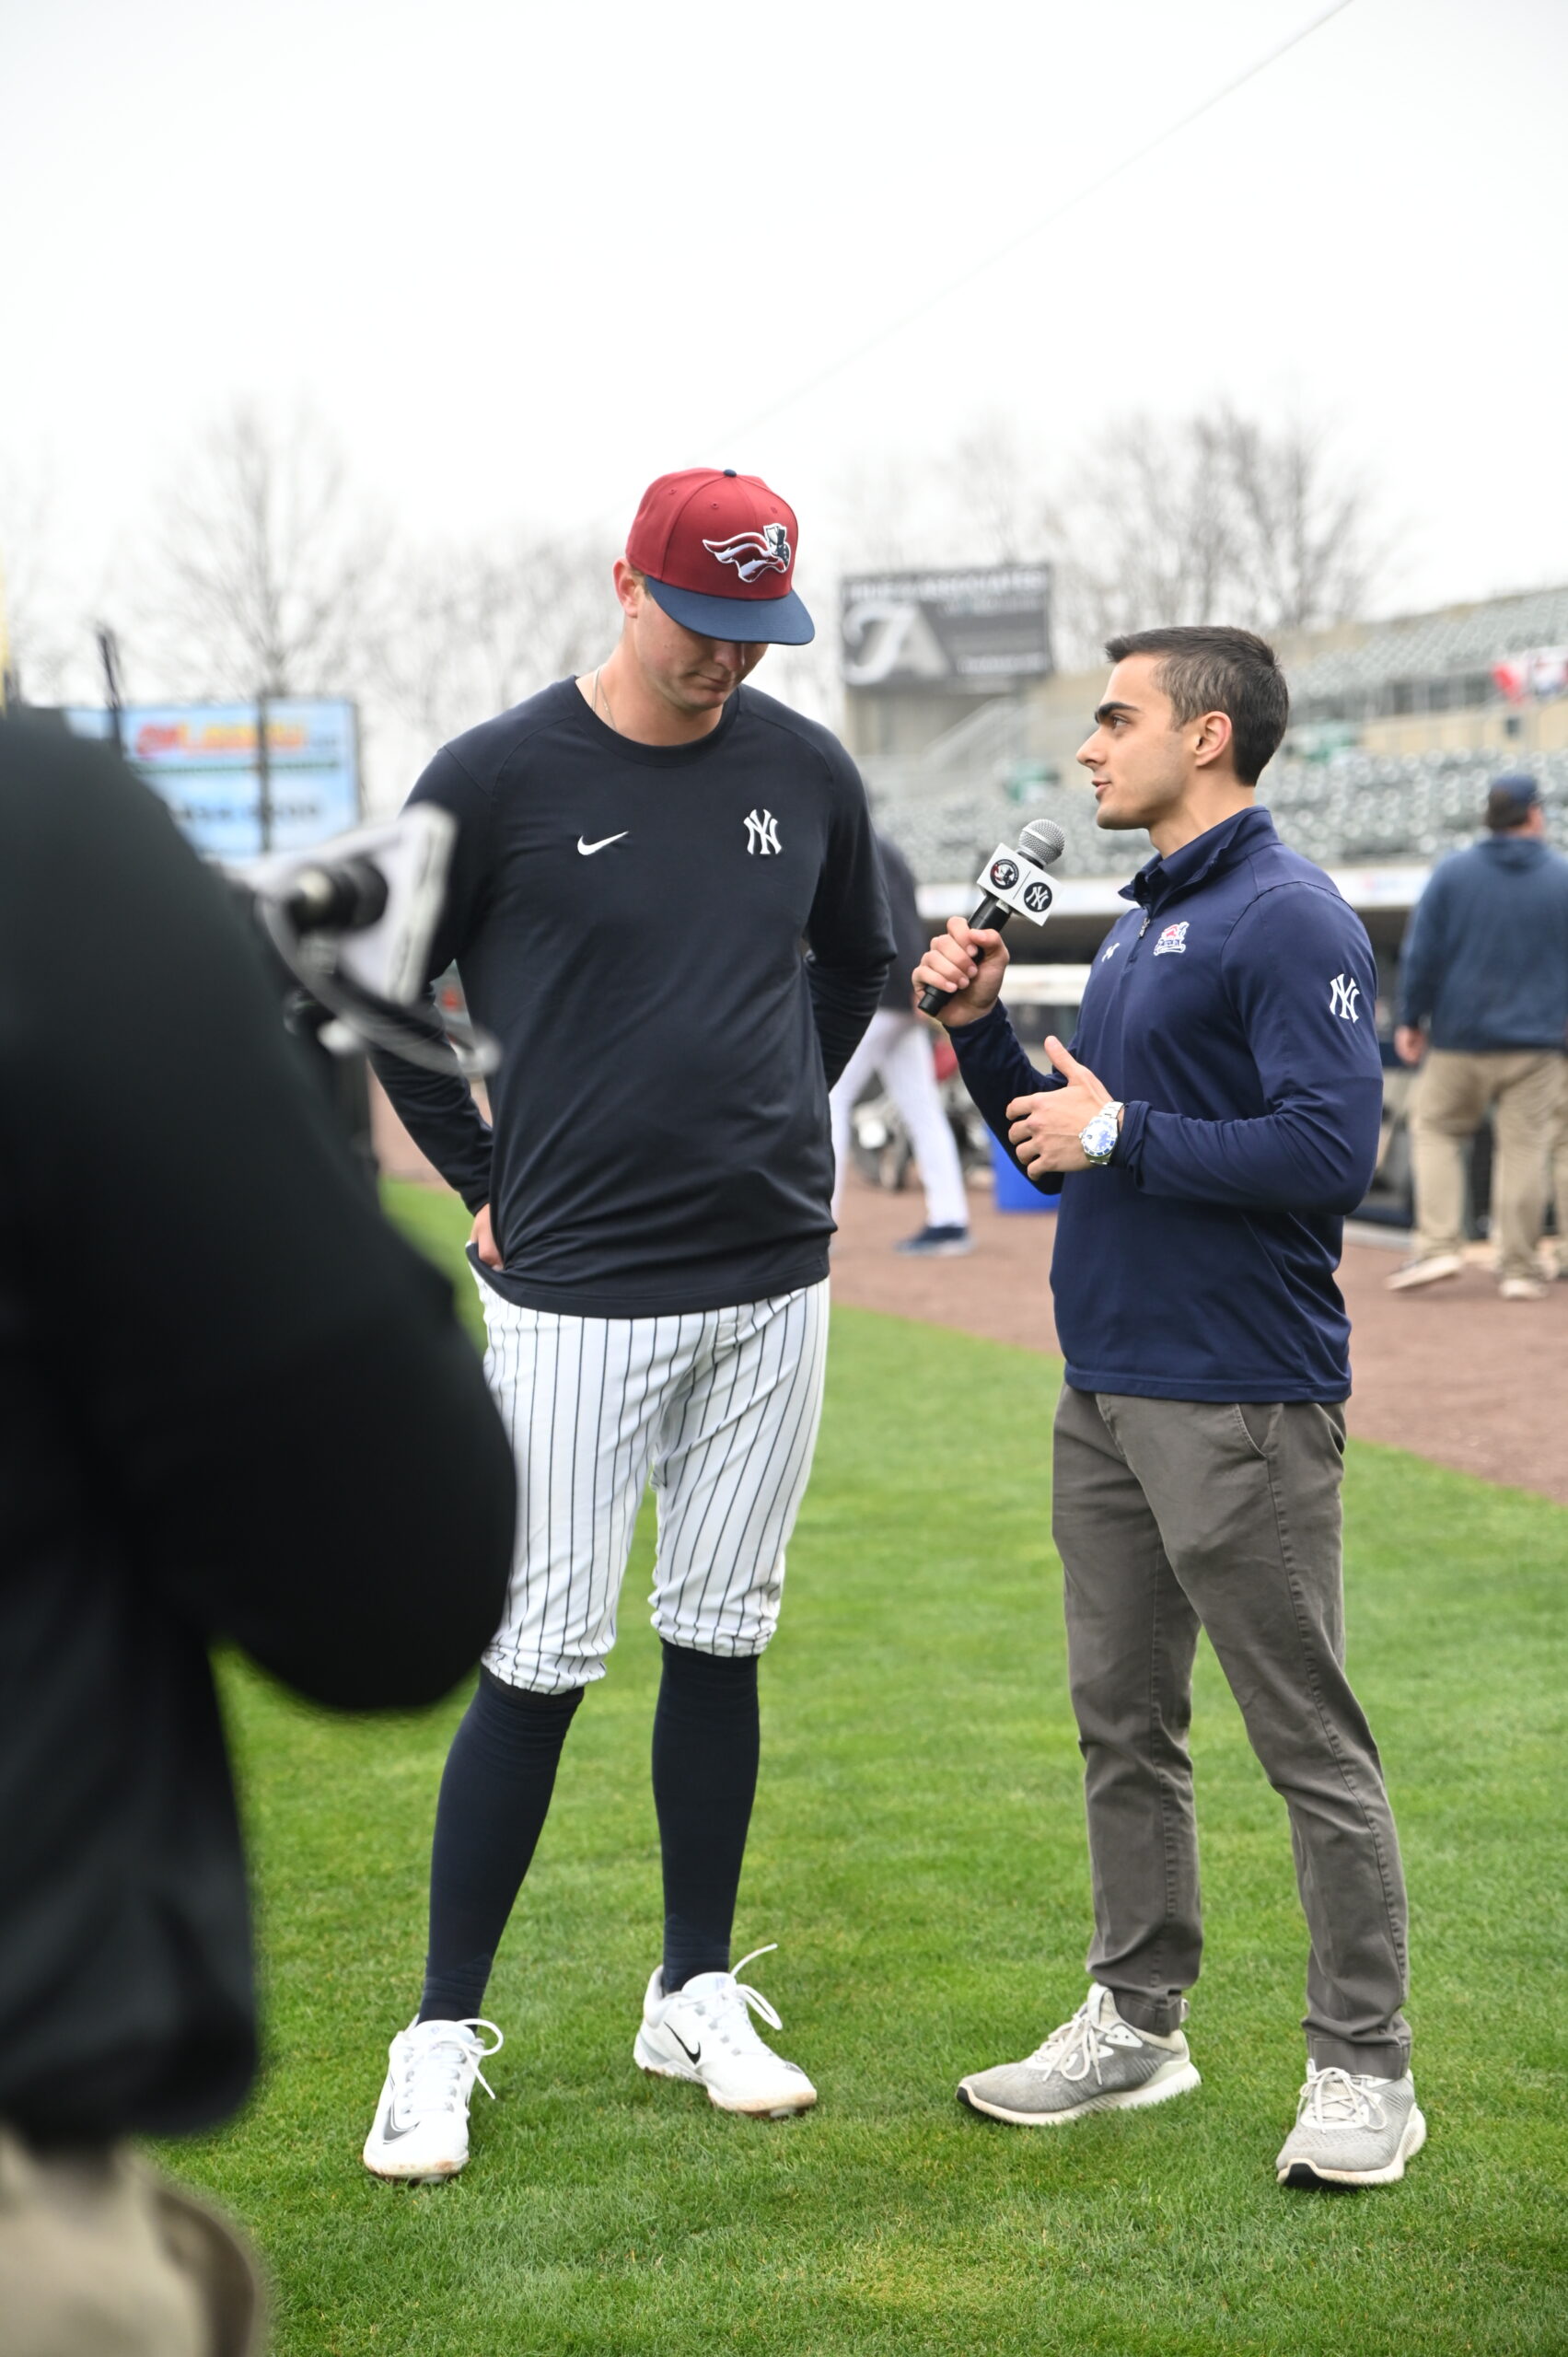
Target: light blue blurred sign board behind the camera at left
204 762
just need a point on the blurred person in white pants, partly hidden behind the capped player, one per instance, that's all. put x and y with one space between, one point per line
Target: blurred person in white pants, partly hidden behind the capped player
897 1048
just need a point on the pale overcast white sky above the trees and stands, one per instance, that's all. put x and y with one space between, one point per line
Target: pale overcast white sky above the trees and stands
525 258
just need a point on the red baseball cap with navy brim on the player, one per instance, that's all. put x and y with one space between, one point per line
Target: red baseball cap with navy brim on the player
718 553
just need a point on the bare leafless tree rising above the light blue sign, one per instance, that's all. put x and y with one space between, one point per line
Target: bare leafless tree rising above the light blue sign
268 579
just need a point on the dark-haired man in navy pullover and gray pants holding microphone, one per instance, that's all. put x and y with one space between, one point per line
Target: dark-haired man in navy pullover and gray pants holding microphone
1211 1125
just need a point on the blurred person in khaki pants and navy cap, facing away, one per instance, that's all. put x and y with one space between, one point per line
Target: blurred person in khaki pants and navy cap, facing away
1484 998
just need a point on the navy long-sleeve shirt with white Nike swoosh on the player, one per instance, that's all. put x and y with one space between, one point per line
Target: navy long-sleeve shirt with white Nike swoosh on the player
633 925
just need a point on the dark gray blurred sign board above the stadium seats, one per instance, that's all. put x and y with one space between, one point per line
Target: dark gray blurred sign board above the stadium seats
975 633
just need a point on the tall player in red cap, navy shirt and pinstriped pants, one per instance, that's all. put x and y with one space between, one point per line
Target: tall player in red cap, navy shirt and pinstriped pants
666 906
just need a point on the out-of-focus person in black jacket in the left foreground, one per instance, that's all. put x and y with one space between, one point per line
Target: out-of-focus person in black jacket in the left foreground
235 1411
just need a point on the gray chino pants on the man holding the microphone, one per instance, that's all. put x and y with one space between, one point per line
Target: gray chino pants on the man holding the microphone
1182 1514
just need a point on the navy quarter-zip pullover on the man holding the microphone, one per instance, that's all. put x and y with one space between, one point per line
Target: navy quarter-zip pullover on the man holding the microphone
1232 1010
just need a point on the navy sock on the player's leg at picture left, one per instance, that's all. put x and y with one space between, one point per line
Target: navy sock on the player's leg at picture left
489 1818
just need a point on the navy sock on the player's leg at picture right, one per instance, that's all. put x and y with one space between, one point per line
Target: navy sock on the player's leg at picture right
704 1783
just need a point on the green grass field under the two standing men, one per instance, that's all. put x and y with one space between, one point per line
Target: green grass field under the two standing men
918 1856
